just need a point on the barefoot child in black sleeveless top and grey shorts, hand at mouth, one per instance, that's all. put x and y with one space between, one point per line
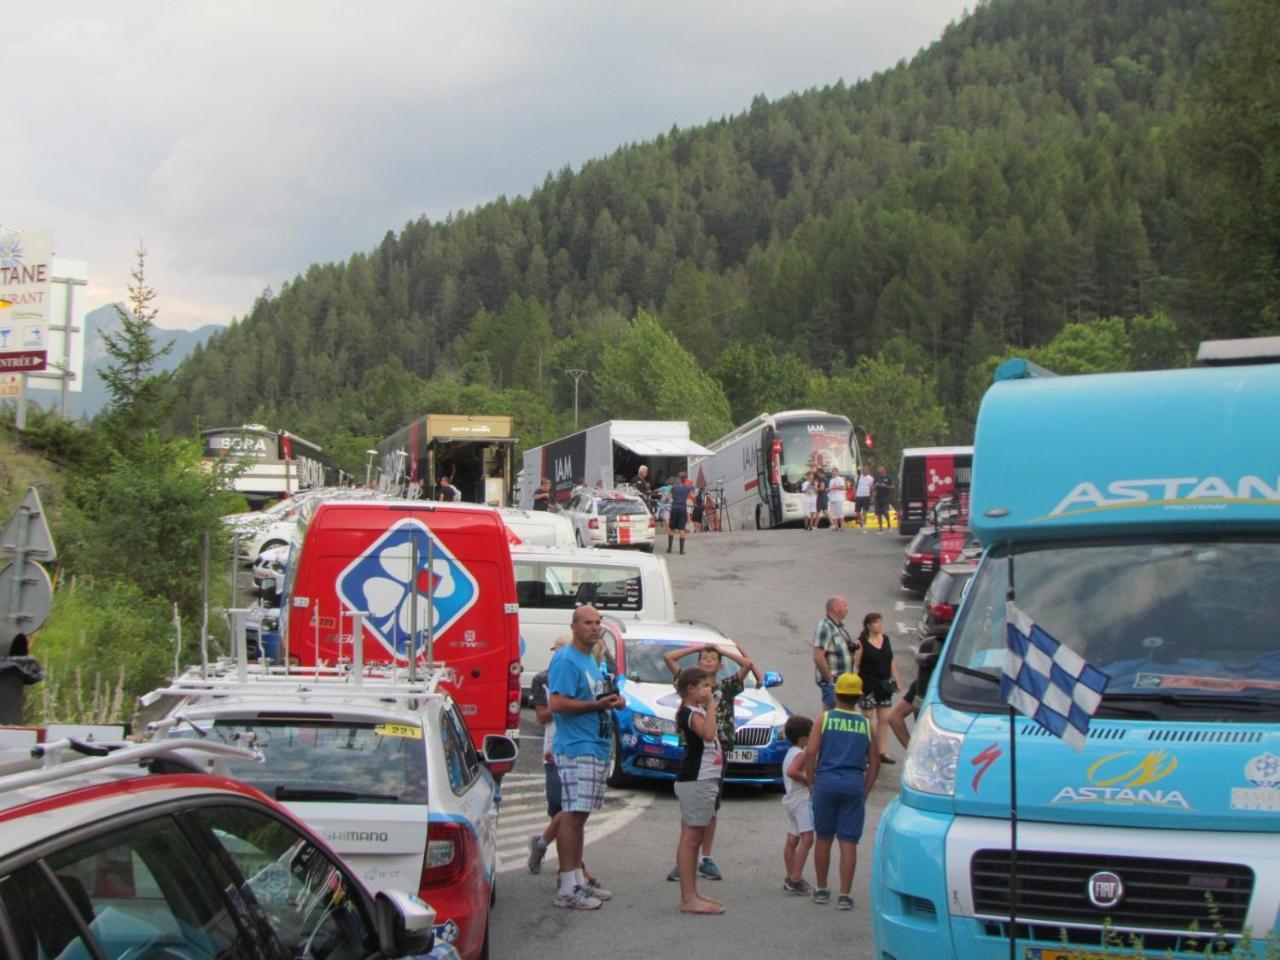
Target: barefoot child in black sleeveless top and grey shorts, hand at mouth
698 781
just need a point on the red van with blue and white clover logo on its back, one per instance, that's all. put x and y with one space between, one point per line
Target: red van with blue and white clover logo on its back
359 556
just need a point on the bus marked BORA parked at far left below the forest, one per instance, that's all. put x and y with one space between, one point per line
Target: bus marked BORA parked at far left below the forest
267 465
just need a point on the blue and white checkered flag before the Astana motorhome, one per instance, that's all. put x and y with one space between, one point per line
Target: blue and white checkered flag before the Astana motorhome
1049 682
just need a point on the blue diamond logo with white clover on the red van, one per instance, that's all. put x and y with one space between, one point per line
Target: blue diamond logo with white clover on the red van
382 583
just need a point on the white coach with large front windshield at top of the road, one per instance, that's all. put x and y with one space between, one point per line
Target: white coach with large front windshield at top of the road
761 465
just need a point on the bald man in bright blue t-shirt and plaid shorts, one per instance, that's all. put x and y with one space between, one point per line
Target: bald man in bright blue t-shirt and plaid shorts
584 735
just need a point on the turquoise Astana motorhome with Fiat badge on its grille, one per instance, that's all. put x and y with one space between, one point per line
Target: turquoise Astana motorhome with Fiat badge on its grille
1142 514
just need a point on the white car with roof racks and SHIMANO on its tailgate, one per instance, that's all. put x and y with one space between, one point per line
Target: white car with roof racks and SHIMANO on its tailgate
383 770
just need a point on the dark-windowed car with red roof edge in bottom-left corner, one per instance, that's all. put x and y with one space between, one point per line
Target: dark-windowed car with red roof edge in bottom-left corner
99 860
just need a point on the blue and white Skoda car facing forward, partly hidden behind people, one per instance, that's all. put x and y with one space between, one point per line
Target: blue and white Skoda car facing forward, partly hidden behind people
648 744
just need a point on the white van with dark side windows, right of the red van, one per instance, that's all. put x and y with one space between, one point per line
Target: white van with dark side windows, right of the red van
551 582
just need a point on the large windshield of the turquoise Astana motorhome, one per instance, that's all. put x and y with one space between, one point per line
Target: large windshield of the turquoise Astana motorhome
1187 629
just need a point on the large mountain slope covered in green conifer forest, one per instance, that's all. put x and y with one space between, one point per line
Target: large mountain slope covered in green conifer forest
1014 176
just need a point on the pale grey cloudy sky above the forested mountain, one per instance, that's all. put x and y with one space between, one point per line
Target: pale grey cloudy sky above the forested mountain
243 141
